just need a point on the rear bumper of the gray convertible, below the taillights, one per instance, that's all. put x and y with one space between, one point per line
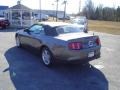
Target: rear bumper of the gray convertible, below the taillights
82 55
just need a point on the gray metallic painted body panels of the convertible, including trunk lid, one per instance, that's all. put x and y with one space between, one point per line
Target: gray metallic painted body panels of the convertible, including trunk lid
58 45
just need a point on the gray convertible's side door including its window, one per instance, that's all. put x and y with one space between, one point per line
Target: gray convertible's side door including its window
32 38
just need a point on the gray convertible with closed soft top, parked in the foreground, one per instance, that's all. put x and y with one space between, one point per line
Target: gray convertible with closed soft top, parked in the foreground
58 41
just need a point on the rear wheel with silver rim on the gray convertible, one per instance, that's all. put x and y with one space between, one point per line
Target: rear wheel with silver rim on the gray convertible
47 57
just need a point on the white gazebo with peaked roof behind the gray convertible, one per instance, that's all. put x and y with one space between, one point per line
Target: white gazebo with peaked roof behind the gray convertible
20 15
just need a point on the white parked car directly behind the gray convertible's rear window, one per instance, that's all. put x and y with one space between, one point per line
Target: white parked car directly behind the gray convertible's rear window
81 21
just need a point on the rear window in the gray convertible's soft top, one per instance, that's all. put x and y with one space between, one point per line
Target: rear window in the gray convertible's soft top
69 29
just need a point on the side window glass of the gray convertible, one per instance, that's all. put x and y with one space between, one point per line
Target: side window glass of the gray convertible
37 29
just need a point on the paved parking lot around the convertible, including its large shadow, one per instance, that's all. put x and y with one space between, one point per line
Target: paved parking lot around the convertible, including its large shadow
22 70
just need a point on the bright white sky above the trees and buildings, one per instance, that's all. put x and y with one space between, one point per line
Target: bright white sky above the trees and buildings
72 6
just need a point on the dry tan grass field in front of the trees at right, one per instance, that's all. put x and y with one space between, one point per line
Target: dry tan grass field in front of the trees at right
101 26
